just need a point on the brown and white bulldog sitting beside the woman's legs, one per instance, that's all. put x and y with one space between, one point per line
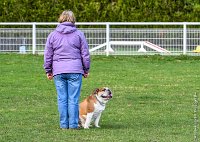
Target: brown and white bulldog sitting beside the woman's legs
91 108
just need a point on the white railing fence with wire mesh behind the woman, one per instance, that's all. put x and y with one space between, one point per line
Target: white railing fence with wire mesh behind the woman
130 38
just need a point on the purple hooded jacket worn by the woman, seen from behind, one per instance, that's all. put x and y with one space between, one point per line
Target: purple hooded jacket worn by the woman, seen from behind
66 51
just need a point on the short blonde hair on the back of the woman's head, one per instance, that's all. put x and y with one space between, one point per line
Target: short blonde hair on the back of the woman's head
67 16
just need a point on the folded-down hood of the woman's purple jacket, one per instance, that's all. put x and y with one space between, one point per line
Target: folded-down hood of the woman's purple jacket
66 28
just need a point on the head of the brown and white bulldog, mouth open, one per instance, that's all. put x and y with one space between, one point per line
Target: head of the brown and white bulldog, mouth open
103 94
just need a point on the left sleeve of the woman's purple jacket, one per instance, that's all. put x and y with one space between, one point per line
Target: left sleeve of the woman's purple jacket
48 55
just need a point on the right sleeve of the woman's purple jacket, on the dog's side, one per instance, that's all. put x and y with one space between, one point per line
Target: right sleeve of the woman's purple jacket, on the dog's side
85 55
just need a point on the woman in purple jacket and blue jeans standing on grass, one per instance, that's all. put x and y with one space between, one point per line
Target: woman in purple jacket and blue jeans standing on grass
66 59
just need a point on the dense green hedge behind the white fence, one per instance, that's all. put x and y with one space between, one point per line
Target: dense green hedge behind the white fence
101 10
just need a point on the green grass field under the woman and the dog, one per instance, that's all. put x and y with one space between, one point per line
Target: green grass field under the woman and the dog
153 100
